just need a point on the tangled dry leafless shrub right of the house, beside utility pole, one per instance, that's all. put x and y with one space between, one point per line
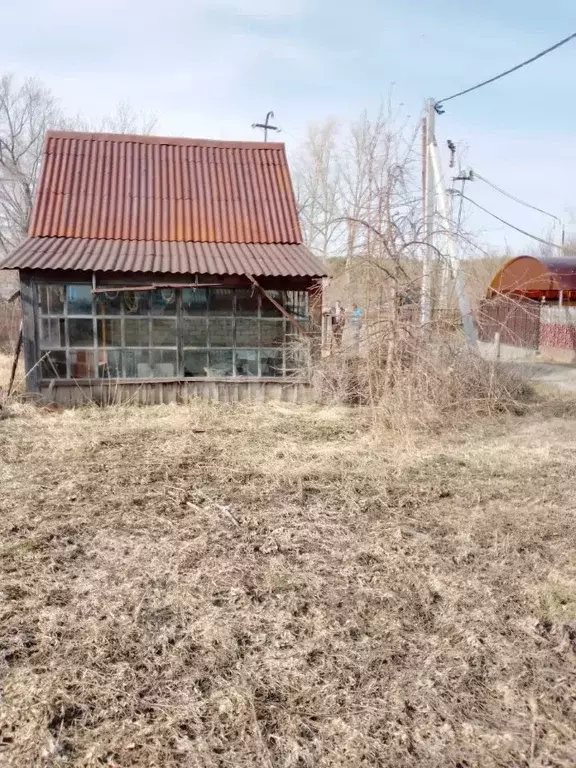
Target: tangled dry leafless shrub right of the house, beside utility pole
421 379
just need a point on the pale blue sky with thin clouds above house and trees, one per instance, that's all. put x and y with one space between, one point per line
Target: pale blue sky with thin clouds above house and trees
211 68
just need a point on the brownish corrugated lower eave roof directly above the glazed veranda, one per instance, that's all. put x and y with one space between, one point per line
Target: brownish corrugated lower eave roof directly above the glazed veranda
272 260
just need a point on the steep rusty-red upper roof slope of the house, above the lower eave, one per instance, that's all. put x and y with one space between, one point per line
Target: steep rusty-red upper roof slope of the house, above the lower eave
123 187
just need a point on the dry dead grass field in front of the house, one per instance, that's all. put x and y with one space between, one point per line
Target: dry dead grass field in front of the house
230 586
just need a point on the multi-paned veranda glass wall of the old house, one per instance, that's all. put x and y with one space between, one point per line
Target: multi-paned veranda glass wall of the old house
167 333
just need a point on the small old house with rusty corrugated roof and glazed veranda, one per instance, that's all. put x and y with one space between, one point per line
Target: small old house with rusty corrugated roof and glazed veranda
158 269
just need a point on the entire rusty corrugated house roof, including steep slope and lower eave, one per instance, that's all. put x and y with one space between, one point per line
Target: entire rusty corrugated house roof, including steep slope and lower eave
148 193
